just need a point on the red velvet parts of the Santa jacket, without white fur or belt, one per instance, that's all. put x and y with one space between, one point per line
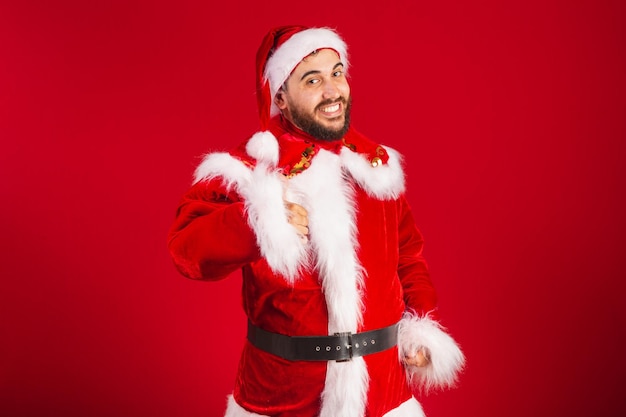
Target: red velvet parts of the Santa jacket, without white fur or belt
211 238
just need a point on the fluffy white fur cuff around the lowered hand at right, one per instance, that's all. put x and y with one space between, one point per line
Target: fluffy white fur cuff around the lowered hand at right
446 358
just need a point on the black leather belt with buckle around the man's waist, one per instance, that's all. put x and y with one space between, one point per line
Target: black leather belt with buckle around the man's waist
339 347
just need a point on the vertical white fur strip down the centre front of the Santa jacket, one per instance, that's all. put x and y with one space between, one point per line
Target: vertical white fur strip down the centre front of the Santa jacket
323 190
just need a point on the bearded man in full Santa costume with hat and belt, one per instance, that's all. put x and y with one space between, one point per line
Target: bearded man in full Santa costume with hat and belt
342 318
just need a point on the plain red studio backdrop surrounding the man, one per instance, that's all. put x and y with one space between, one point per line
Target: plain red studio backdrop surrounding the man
511 118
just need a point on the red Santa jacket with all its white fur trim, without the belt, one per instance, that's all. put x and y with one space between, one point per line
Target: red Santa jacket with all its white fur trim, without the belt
362 269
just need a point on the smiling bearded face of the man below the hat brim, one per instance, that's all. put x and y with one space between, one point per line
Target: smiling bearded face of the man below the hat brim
316 96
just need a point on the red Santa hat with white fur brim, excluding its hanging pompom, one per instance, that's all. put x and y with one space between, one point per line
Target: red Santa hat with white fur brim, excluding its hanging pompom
280 52
